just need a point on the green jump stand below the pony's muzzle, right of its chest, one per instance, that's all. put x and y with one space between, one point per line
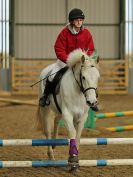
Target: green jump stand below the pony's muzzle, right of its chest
90 122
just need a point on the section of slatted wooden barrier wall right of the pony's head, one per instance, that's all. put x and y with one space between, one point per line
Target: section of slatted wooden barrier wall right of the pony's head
114 77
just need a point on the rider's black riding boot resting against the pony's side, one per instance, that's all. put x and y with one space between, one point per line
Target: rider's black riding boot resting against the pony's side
44 100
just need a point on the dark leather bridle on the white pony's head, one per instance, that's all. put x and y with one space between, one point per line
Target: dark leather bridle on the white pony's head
83 90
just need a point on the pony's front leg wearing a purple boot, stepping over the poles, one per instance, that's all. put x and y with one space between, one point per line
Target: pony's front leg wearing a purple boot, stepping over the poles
73 150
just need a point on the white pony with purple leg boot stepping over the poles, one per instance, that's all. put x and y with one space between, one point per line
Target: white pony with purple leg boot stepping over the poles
77 93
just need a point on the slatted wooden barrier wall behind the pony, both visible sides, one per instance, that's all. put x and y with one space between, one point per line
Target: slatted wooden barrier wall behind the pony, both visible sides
114 76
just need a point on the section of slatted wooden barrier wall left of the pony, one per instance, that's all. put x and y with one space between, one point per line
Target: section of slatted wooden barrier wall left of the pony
25 73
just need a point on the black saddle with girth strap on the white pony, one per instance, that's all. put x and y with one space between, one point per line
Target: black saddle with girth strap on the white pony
54 85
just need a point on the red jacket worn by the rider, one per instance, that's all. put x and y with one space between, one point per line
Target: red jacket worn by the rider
66 42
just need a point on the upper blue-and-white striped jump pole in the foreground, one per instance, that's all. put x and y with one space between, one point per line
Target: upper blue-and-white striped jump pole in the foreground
63 142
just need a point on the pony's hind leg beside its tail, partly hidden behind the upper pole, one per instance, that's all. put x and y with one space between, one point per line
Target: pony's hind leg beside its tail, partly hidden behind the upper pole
47 121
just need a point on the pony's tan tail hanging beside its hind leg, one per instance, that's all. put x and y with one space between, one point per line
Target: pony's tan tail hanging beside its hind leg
38 123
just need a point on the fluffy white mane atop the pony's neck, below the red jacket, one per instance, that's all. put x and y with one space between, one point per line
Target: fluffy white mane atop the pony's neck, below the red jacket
75 57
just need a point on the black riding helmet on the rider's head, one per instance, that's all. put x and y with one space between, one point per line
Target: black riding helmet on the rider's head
76 13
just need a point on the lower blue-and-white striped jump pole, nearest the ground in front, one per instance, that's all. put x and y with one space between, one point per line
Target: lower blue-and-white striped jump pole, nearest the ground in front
63 163
